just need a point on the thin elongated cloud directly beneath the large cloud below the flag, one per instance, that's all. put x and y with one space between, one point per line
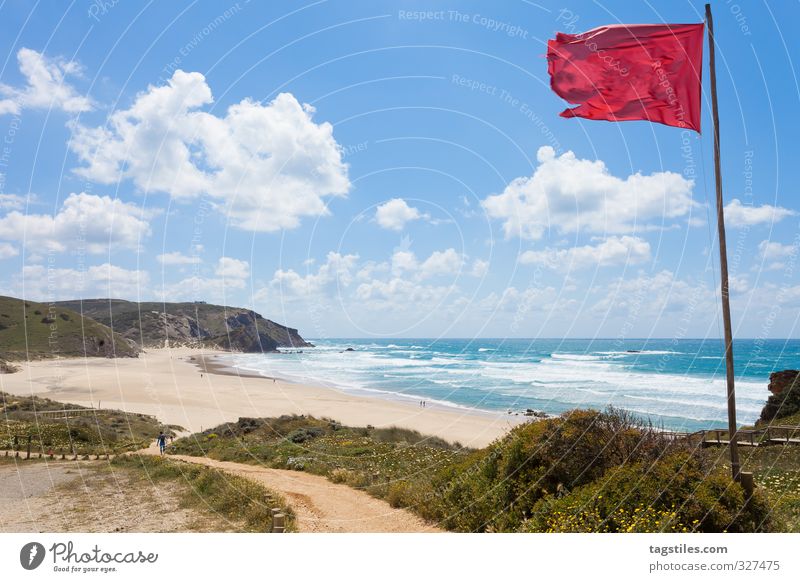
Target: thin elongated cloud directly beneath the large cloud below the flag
612 251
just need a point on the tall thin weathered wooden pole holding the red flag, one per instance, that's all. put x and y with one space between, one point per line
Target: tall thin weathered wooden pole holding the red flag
723 259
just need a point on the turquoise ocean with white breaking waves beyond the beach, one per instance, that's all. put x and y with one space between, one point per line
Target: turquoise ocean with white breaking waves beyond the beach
676 384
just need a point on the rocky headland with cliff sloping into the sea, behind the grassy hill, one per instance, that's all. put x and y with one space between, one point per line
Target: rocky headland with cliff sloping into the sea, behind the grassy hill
154 324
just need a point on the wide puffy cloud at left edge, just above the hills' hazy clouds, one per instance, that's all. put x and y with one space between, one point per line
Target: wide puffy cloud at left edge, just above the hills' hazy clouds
98 223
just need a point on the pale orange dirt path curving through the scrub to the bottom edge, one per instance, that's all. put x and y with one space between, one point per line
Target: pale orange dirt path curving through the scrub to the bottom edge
322 506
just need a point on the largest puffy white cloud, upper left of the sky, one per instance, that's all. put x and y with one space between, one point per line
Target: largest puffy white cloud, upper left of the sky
267 165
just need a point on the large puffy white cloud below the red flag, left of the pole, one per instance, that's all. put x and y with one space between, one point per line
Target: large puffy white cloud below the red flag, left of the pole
570 195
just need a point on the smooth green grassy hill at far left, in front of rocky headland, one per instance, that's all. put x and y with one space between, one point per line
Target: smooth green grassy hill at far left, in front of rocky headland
30 330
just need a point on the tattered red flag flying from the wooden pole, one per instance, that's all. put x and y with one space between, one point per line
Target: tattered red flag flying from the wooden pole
646 72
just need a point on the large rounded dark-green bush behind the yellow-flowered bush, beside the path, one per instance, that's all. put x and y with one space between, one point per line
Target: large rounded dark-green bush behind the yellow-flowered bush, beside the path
496 488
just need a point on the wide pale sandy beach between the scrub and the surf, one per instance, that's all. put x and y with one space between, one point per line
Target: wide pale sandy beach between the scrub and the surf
187 387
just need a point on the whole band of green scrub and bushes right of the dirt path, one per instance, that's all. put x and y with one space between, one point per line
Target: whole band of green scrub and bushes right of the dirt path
583 471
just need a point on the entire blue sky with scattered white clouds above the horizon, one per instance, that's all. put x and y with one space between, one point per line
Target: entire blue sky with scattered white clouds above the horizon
391 168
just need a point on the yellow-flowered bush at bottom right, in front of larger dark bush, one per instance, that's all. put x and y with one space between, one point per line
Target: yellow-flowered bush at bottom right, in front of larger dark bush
675 494
